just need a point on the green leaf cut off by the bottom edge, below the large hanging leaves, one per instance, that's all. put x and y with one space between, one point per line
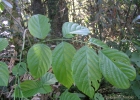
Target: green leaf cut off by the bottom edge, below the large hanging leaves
69 96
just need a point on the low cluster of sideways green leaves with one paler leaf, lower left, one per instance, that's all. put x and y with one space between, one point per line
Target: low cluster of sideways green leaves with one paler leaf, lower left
31 87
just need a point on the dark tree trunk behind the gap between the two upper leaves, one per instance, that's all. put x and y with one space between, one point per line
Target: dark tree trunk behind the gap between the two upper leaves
58 14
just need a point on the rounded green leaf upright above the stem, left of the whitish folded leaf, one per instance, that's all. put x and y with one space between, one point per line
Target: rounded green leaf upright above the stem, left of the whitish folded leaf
39 26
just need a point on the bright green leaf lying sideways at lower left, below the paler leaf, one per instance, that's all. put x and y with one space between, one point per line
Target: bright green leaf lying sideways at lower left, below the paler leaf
31 87
